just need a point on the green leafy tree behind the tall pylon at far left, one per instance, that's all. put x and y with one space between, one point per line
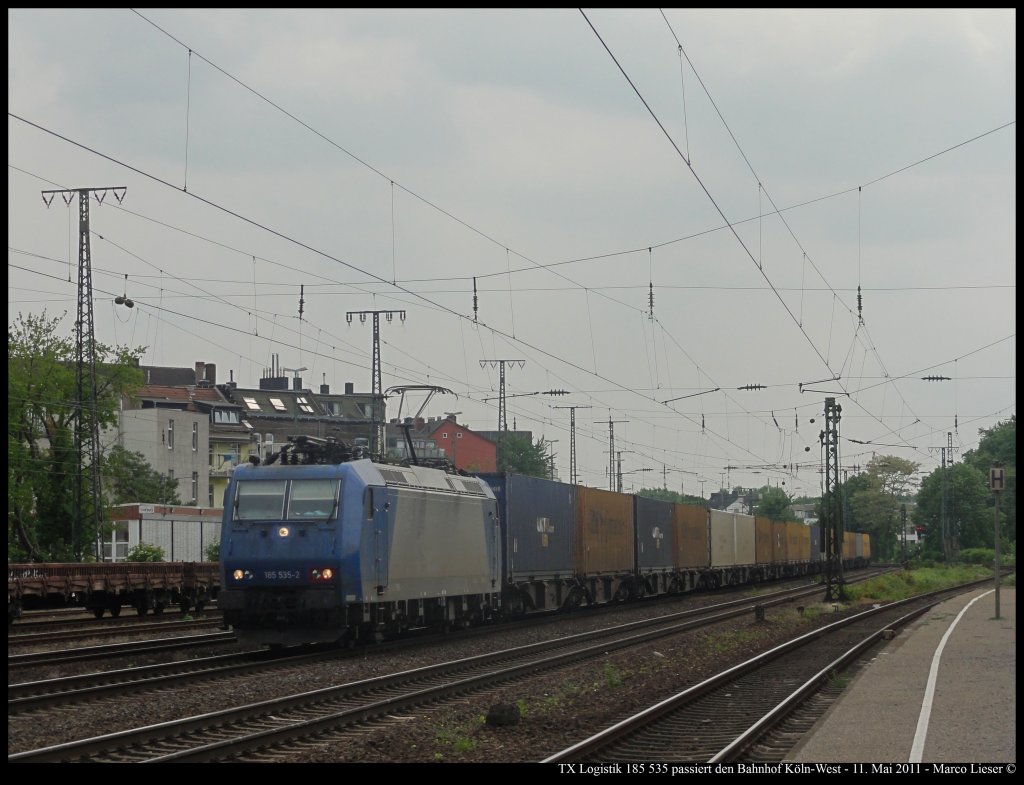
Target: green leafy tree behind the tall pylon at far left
42 461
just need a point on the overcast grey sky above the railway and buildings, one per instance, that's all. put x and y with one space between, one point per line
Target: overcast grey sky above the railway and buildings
748 169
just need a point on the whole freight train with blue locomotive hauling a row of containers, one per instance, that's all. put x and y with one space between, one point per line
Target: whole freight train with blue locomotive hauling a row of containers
360 551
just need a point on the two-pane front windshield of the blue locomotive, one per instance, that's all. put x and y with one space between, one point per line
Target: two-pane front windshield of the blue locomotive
266 500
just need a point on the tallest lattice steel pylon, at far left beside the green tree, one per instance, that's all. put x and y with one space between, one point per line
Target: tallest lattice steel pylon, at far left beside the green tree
88 416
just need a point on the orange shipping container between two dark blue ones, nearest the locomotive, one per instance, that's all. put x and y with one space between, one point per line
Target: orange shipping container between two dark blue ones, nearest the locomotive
605 542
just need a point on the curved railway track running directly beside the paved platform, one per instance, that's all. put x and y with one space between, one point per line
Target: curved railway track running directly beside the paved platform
756 711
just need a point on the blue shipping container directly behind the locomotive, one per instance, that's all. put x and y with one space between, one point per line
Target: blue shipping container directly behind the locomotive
538 525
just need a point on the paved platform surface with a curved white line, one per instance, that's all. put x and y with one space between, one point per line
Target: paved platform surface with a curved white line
945 690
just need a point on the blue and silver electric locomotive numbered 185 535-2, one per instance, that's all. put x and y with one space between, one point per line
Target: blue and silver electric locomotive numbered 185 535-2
356 551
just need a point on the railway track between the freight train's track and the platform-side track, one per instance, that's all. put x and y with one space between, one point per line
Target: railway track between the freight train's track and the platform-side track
273 728
